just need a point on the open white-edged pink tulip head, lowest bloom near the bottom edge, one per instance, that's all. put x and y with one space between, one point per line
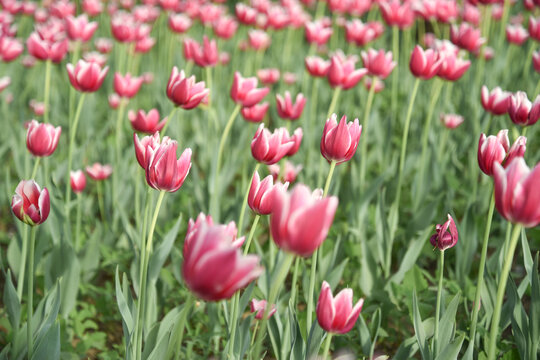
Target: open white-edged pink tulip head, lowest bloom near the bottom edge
337 315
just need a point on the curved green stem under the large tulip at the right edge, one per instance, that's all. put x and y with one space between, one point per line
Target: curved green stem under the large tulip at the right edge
492 348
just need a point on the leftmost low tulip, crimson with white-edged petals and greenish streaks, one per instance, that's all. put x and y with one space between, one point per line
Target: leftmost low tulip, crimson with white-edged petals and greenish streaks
30 204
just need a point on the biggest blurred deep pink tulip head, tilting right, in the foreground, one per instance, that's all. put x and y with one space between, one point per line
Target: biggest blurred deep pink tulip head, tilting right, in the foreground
214 269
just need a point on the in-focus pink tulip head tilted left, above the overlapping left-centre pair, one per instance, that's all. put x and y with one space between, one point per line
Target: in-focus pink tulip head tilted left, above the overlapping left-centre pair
186 92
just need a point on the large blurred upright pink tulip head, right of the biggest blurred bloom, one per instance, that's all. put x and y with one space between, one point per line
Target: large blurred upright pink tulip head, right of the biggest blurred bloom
300 220
